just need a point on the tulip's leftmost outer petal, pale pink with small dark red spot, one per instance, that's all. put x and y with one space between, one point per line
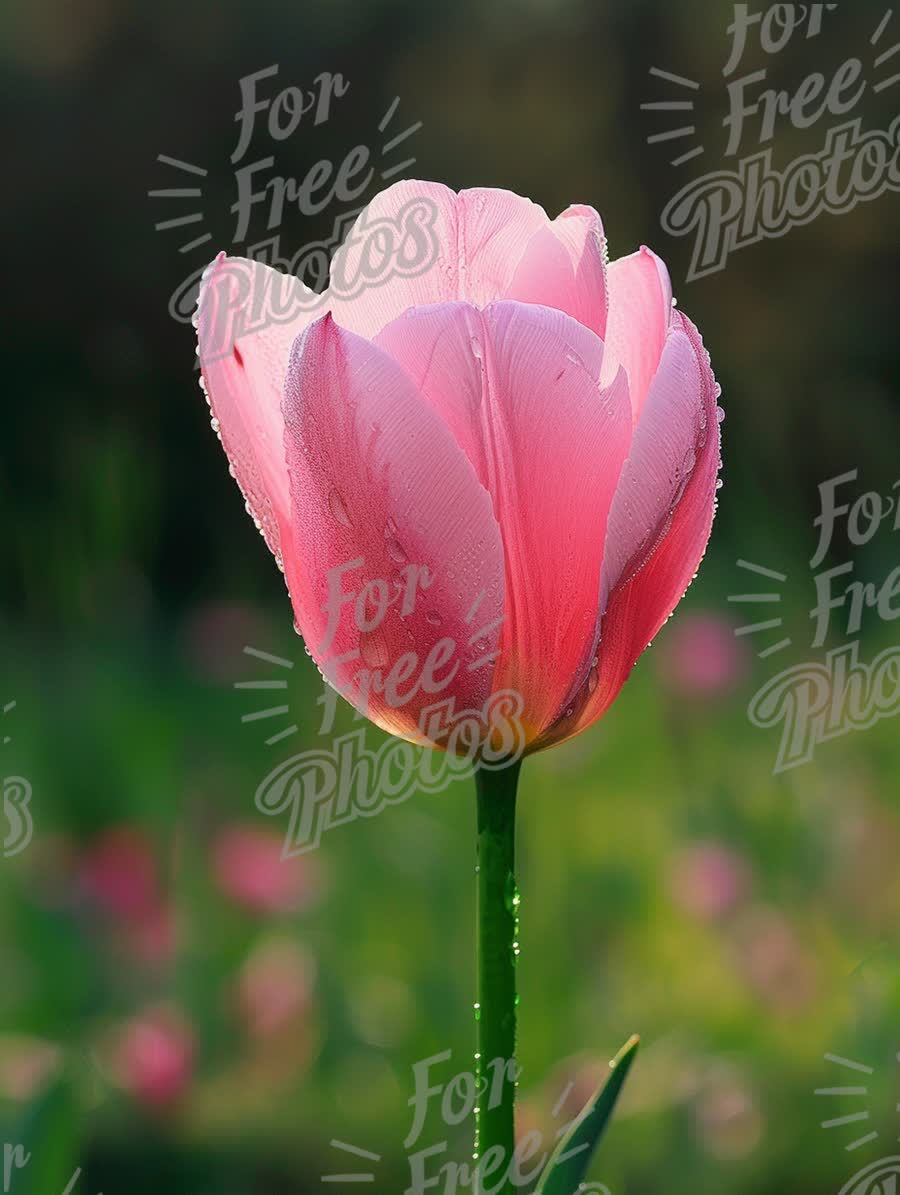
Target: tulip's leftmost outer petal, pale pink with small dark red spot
249 316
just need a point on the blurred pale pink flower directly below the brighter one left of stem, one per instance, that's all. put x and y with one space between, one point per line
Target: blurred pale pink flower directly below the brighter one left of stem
275 988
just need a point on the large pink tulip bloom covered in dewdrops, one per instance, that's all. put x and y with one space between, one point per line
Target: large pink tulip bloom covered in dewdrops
532 427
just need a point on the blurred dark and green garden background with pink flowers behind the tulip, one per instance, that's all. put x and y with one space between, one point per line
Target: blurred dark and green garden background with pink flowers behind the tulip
180 1009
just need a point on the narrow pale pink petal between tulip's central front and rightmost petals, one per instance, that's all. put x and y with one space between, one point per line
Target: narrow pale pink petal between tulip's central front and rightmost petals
639 321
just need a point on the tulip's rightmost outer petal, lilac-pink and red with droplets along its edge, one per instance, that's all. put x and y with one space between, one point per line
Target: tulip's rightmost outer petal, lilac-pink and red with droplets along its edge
662 517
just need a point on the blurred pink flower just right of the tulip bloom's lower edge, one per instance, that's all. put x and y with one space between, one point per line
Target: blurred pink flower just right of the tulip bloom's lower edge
701 658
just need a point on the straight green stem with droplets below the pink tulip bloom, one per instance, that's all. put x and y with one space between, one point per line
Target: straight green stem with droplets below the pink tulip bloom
498 952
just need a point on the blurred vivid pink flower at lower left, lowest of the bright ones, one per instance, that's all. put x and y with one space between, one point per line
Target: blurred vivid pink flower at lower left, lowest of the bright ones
155 1057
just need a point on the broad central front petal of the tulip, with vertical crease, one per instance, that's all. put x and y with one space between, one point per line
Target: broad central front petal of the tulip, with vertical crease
518 388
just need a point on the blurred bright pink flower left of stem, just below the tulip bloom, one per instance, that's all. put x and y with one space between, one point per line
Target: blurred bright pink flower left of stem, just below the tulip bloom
252 872
